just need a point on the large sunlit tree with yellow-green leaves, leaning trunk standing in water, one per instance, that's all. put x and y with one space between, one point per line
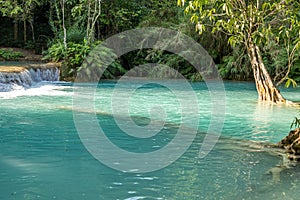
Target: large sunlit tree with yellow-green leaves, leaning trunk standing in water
251 23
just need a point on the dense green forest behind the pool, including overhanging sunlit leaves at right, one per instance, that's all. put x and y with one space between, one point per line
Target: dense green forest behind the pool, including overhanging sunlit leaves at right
67 30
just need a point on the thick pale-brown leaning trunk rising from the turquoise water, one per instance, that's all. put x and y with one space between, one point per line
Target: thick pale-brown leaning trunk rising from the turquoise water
264 85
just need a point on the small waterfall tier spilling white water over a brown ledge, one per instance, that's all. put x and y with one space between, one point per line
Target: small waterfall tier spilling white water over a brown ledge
12 77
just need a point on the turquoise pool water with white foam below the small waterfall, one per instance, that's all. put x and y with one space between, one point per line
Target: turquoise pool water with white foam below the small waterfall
42 156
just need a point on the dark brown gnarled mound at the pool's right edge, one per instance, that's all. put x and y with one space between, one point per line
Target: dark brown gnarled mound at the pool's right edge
291 143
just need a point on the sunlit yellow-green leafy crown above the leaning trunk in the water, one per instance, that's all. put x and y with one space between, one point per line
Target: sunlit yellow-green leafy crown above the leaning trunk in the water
241 20
